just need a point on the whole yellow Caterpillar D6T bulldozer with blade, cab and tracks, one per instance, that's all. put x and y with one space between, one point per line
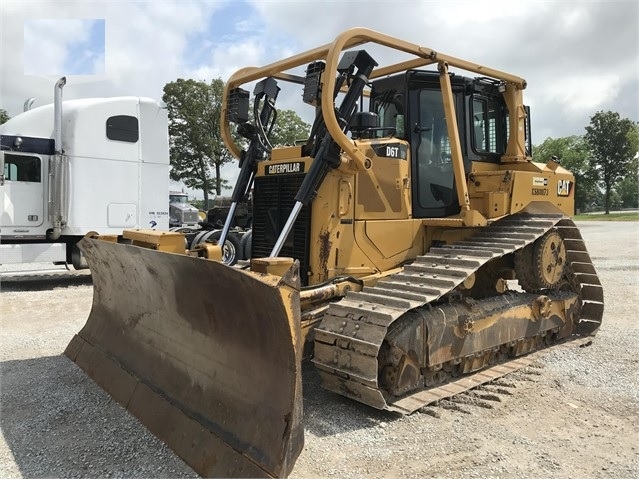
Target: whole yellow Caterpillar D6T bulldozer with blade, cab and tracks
410 247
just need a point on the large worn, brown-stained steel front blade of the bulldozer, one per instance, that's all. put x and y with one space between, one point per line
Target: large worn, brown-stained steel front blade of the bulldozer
206 356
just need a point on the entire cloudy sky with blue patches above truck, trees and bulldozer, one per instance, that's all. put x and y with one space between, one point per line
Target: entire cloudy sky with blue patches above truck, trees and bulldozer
578 57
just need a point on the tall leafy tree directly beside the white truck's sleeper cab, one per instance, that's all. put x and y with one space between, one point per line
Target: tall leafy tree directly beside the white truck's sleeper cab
197 149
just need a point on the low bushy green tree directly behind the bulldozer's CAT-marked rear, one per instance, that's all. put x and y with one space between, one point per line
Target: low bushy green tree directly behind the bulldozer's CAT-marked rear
573 154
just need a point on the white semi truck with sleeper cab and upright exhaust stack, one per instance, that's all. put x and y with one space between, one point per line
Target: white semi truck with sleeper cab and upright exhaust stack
73 167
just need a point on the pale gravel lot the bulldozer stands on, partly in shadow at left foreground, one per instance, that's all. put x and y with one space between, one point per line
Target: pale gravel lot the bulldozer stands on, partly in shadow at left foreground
574 413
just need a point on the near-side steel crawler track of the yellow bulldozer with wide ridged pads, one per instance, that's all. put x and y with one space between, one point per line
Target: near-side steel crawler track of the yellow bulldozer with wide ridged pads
349 338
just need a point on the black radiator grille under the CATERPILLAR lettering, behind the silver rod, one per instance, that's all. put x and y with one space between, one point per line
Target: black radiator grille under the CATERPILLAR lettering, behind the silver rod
273 200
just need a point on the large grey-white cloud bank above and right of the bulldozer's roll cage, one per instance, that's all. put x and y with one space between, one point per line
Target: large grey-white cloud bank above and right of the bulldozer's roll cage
575 56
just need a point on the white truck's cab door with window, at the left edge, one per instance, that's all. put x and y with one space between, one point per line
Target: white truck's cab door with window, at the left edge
21 190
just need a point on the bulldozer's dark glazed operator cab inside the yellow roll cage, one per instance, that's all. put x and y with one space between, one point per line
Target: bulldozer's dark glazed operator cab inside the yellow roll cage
410 107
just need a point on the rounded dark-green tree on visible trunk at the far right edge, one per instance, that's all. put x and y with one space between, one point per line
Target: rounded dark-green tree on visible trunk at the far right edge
613 144
